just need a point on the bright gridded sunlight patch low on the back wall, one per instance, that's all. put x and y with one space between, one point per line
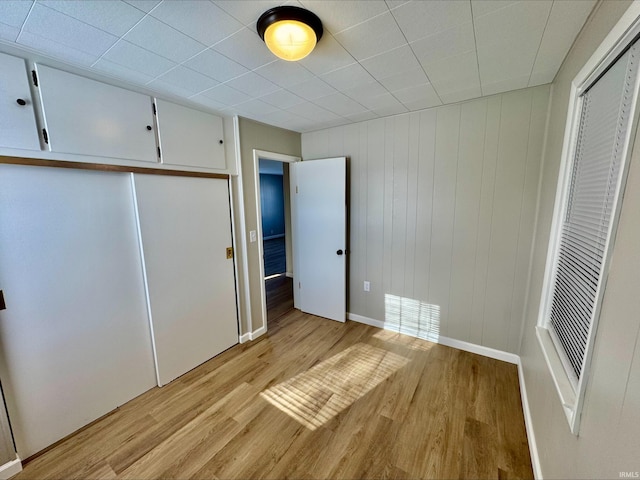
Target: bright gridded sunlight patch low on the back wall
412 317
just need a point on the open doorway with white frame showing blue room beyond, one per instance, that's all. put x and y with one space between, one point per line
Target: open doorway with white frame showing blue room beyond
274 233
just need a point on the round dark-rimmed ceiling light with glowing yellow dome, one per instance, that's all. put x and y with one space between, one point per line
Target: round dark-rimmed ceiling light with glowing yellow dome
291 33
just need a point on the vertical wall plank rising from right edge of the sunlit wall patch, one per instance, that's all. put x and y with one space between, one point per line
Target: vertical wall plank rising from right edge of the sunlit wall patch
444 198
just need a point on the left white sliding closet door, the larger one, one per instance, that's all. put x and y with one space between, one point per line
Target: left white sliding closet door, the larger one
74 338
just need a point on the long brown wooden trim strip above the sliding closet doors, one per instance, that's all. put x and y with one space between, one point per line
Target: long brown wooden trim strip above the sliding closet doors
103 167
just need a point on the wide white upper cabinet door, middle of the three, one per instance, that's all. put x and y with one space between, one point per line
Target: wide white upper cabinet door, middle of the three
87 117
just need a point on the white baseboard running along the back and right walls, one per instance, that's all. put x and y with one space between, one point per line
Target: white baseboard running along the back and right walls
484 351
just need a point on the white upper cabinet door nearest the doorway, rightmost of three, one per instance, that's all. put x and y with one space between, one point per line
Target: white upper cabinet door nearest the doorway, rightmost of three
190 138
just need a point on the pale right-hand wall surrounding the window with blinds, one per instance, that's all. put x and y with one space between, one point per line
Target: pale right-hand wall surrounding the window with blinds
609 439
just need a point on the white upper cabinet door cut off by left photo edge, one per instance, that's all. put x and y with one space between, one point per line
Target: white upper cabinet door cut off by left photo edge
18 122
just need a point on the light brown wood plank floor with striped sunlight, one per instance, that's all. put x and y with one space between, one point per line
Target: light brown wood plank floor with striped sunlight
312 399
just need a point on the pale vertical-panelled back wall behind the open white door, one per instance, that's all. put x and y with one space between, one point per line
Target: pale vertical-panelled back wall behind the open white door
442 210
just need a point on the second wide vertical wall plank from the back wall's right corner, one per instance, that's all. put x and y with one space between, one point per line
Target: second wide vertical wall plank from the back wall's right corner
465 230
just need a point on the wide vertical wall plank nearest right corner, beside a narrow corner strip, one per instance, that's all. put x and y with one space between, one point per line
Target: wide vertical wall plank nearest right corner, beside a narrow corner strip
512 154
